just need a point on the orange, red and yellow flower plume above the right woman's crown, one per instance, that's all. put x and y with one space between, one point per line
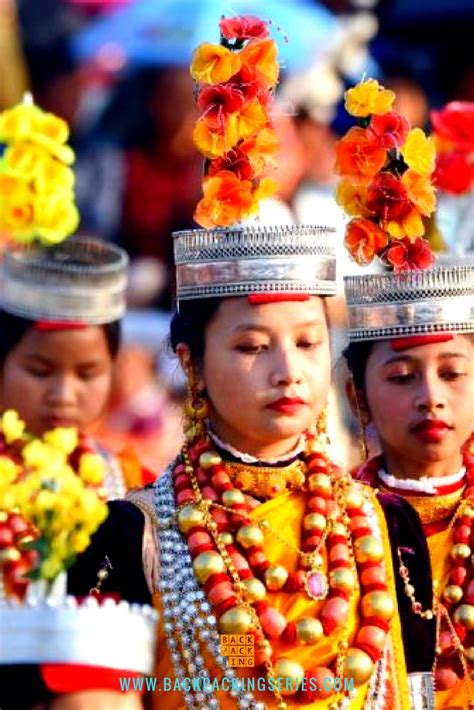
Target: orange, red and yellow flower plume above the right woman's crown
386 184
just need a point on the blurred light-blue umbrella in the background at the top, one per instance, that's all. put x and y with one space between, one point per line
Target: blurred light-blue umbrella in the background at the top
165 32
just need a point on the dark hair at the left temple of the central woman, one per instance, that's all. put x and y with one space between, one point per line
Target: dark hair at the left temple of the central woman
189 325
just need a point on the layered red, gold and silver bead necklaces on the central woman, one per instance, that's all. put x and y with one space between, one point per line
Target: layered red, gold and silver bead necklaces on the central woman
225 556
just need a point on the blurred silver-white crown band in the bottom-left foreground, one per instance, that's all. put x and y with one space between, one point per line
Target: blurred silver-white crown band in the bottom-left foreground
109 635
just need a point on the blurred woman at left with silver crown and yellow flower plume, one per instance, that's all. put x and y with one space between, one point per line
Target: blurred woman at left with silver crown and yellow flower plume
61 301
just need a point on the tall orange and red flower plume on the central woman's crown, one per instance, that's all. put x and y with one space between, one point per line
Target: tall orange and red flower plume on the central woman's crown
235 81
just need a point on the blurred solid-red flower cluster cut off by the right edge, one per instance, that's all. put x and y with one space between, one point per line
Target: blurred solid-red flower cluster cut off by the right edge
453 132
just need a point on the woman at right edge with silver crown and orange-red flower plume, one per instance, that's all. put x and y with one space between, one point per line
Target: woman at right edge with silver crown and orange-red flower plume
411 356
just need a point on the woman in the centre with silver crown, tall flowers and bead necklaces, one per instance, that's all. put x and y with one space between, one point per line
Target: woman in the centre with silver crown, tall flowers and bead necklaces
270 566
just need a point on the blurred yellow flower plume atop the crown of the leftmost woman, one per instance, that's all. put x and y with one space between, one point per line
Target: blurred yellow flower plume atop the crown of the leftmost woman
36 181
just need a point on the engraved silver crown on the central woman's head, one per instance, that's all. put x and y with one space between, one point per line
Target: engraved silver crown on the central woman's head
253 259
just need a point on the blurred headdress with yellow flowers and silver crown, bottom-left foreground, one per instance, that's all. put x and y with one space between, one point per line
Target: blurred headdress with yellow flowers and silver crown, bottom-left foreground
51 502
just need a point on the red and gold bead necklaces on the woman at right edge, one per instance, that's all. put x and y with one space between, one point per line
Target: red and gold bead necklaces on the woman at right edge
453 605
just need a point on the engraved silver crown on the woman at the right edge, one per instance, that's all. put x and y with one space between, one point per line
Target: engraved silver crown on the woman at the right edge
382 306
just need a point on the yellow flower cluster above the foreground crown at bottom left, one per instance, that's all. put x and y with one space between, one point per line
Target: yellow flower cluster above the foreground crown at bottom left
51 500
